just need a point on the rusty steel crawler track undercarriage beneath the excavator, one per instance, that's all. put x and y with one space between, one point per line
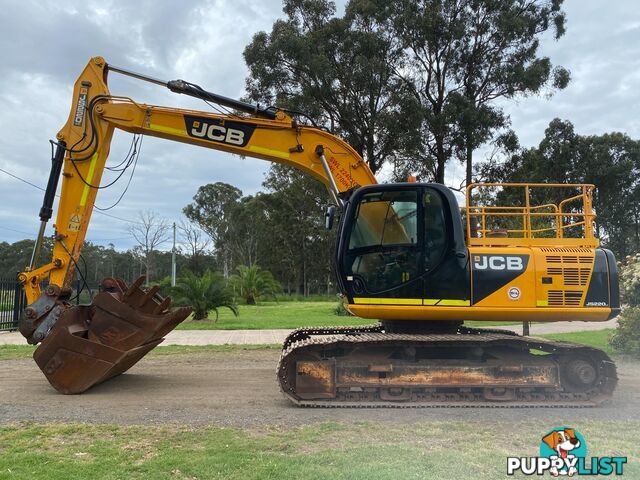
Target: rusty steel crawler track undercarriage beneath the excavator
369 367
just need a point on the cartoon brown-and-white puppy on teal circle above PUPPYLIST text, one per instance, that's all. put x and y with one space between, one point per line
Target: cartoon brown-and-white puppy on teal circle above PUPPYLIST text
563 444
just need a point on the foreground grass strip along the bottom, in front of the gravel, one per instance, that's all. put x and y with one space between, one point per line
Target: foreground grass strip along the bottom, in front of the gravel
435 450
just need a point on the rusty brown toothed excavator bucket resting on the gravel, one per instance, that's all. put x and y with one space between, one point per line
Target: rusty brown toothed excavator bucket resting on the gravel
93 343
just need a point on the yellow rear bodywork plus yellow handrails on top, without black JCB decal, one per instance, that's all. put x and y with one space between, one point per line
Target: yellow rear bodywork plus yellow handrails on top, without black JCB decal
554 285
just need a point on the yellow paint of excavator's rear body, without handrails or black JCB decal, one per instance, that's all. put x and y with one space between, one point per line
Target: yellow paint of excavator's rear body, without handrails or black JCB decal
536 302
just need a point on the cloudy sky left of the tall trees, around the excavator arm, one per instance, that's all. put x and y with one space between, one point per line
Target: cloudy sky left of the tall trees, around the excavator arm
46 44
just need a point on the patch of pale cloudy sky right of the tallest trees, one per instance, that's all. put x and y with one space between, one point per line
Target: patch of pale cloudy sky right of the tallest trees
602 50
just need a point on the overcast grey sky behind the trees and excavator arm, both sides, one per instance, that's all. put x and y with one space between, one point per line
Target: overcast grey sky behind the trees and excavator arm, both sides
45 44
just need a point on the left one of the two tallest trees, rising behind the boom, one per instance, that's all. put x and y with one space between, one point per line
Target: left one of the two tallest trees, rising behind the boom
339 71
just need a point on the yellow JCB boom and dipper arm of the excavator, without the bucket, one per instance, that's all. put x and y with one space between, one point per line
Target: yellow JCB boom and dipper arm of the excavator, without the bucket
84 141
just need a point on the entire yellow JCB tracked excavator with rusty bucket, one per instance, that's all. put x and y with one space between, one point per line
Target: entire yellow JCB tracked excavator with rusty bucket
407 257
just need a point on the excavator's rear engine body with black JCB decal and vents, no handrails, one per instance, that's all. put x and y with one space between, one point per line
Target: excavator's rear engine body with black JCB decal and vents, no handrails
542 284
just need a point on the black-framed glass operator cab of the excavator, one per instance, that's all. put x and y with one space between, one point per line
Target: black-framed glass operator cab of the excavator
401 244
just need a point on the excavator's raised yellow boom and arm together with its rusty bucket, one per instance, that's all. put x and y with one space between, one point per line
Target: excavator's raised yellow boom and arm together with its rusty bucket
93 343
